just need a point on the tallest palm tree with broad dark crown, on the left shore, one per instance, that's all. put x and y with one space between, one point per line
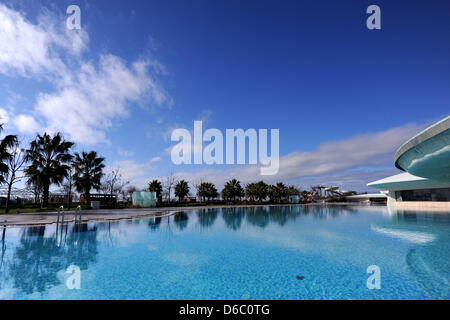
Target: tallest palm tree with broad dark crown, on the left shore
49 158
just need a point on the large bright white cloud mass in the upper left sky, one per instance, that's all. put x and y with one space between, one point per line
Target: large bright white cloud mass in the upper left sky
88 96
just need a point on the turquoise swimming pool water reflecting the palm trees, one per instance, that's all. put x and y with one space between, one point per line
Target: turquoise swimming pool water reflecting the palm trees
295 252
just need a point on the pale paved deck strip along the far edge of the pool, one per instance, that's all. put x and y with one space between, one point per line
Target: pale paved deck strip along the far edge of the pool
45 218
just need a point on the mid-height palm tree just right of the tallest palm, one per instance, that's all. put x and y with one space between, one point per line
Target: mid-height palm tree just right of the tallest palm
88 172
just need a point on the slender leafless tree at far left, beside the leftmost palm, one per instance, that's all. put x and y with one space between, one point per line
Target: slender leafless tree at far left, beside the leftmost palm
15 169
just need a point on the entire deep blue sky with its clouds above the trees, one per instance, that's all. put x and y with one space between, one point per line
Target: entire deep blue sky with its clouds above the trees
344 97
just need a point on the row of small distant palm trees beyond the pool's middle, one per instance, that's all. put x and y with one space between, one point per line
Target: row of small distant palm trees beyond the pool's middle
232 191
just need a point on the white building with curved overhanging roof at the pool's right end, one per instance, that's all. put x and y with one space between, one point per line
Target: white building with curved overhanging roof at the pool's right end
425 184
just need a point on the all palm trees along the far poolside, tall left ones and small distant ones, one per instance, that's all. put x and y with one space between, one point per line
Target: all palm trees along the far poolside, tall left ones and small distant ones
48 161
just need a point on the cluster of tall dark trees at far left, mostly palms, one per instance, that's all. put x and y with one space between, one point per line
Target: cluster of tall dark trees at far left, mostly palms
48 161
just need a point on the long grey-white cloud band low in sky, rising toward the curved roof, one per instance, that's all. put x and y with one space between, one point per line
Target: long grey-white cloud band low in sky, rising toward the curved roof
351 162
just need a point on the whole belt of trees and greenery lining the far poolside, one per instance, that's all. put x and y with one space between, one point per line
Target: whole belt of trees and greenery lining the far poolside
48 162
